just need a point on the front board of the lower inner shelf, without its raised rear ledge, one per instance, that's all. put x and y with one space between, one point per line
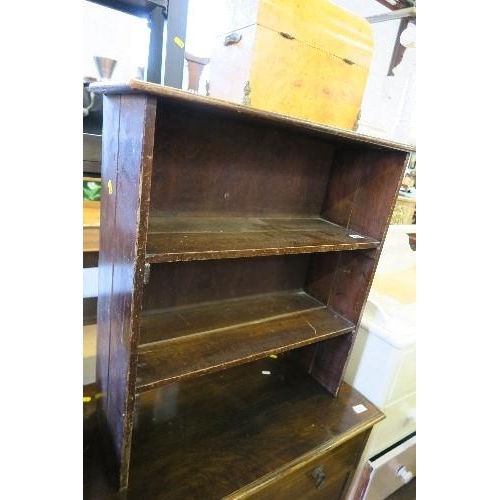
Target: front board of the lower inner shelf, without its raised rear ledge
190 356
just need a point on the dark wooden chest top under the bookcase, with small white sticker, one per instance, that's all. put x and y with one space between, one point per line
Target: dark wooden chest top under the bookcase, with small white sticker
212 436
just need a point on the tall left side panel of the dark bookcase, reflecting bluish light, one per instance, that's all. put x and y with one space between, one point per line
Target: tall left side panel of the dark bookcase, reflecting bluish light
127 152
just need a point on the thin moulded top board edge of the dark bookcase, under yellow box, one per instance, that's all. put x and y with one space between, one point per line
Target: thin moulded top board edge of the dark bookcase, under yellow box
276 119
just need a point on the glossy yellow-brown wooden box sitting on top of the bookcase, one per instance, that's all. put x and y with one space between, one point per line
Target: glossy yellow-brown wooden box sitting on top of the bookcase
304 59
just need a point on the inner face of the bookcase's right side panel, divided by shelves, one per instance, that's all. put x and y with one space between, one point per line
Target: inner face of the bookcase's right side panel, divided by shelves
363 190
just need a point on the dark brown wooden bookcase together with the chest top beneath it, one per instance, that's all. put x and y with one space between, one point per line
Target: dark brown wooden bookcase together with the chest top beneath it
229 235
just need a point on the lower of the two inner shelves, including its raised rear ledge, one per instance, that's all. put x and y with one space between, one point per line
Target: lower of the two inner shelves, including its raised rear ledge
186 341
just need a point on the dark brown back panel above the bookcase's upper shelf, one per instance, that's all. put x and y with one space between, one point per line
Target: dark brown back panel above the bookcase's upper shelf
207 166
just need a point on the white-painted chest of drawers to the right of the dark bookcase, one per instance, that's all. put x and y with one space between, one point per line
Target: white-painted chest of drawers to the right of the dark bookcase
383 367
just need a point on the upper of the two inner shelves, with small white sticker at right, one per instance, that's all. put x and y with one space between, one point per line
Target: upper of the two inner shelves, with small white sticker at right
194 238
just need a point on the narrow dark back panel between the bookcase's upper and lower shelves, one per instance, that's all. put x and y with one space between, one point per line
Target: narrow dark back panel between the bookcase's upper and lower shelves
187 283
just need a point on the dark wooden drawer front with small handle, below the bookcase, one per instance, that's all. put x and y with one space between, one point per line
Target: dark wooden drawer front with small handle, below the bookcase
325 477
